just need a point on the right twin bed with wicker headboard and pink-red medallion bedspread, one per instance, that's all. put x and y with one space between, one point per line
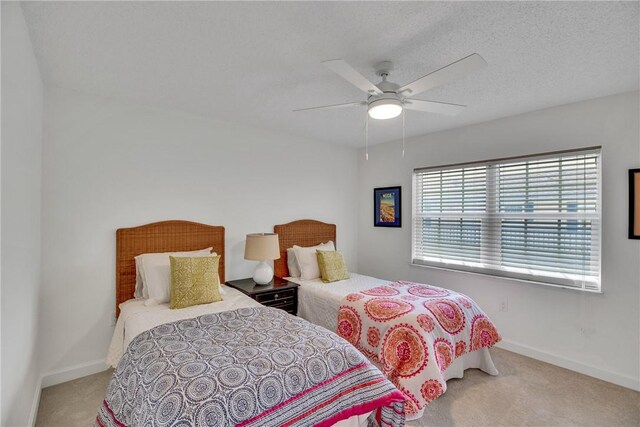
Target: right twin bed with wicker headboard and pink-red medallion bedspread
440 333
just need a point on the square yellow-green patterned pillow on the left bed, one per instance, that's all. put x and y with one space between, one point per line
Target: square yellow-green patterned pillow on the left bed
194 280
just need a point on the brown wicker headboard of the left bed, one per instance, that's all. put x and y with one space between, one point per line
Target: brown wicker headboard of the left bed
165 236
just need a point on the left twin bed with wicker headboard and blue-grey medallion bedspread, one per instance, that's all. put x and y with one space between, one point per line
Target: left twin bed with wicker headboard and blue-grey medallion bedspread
232 362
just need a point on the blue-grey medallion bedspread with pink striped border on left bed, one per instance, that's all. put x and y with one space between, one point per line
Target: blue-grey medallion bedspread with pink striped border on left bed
254 366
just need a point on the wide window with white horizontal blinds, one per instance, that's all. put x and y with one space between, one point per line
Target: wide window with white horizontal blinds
534 218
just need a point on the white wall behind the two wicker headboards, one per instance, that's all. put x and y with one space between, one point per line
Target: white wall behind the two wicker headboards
109 164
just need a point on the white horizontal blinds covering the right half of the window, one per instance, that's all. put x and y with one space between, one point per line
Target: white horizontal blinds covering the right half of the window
549 216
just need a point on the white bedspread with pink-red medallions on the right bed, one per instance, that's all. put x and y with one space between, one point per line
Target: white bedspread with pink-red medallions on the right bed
414 332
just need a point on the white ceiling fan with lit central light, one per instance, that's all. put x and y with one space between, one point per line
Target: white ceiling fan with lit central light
387 100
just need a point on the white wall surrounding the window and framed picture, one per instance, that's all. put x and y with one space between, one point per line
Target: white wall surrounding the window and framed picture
598 334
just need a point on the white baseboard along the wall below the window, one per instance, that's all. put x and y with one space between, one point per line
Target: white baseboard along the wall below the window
624 381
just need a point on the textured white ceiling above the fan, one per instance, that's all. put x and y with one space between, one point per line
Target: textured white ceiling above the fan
255 62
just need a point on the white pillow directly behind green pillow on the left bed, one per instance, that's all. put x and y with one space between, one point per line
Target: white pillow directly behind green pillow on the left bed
155 273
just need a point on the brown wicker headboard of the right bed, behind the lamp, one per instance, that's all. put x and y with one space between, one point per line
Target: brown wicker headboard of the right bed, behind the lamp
305 232
